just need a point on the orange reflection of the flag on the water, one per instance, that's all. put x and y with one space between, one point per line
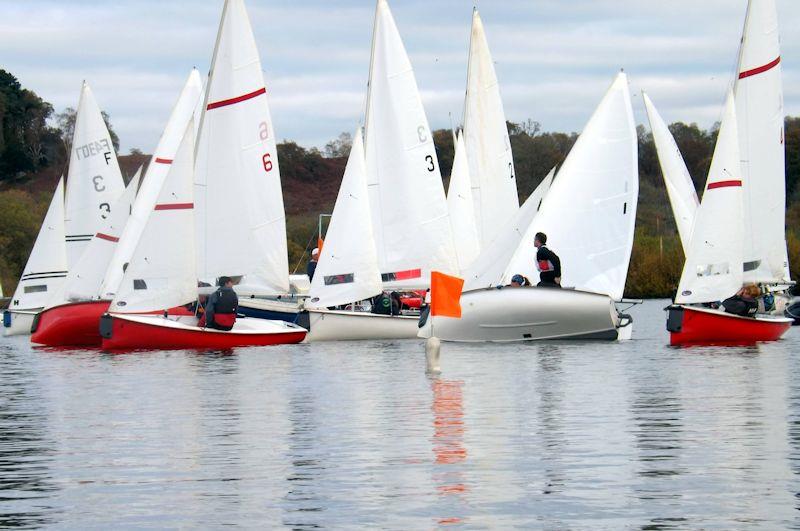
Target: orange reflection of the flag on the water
448 446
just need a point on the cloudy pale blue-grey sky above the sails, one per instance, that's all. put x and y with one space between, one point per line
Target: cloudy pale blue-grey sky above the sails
554 58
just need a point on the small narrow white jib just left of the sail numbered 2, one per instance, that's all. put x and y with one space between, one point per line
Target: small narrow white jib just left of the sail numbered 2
462 208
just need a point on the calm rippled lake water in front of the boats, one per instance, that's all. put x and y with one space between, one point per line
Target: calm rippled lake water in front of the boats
556 435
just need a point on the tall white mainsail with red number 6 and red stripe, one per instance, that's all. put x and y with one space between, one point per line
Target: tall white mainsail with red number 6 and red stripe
240 216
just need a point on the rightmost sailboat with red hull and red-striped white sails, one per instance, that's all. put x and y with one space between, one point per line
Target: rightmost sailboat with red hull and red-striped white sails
761 249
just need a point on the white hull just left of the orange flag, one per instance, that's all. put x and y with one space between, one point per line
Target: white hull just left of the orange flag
339 325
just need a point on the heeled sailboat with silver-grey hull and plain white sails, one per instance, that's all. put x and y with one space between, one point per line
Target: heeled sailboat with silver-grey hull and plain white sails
588 215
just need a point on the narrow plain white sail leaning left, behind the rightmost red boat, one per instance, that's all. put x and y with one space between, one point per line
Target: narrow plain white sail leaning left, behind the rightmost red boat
680 188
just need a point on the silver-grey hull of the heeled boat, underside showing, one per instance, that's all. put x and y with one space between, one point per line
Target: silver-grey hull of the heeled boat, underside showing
530 314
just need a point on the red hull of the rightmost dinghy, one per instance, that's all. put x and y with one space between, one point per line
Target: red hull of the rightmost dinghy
705 326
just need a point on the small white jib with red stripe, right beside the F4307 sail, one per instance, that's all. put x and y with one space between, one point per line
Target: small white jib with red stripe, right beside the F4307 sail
86 276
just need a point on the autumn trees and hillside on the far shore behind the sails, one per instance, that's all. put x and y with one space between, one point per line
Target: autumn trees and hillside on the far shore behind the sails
34 148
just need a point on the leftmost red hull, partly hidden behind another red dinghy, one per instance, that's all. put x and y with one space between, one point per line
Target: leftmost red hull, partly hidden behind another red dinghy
74 324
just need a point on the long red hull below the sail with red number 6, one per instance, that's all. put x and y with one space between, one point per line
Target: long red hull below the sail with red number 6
133 335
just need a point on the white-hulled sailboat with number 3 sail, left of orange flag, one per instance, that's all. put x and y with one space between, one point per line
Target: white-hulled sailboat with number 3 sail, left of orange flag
410 225
